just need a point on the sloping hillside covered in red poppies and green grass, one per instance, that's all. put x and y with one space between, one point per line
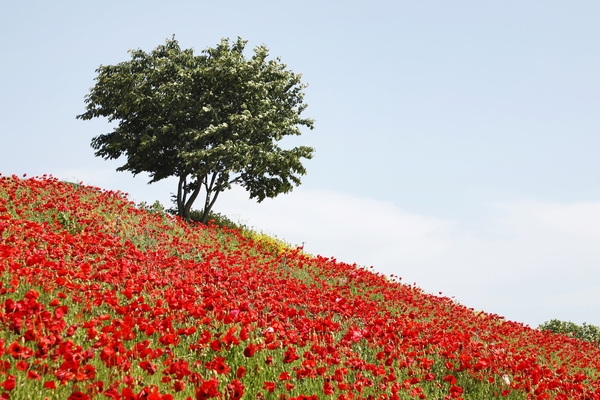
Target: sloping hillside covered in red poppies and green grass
100 299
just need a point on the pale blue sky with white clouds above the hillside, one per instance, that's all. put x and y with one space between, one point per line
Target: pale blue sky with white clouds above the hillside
456 141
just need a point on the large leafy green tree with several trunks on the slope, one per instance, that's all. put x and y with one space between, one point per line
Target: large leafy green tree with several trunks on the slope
211 120
